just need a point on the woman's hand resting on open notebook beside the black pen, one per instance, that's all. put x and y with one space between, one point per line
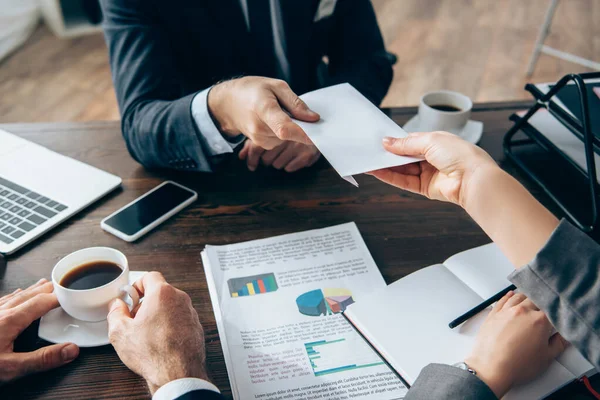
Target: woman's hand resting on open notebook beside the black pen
514 345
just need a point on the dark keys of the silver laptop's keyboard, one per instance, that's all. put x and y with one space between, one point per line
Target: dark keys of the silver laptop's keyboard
21 210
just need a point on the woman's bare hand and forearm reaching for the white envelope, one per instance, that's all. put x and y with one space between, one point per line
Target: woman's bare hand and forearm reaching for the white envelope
459 172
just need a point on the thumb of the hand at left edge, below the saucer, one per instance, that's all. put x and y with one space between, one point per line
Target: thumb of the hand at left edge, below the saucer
46 358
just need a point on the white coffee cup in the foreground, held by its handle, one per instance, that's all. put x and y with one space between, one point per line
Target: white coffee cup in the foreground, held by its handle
86 281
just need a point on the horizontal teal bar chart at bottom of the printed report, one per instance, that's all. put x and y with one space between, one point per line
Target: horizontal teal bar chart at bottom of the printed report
332 356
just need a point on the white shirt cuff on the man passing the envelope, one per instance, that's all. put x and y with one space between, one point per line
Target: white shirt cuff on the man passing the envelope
214 141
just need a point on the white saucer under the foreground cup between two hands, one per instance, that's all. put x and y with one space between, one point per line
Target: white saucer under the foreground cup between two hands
59 327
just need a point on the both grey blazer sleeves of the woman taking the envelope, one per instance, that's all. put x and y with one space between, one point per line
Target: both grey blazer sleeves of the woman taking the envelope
563 281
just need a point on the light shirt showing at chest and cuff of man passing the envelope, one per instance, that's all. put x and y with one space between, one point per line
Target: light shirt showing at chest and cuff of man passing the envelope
216 143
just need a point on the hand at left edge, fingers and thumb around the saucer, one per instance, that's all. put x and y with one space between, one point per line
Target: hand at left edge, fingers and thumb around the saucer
17 311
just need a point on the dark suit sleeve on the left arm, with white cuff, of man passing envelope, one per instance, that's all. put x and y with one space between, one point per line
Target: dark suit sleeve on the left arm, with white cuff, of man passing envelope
157 122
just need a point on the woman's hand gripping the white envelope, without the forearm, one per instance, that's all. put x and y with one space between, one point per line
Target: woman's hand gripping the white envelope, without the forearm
449 164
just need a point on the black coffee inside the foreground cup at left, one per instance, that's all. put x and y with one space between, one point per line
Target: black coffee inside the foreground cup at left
91 275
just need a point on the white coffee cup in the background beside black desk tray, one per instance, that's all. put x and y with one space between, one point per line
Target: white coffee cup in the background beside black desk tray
431 119
